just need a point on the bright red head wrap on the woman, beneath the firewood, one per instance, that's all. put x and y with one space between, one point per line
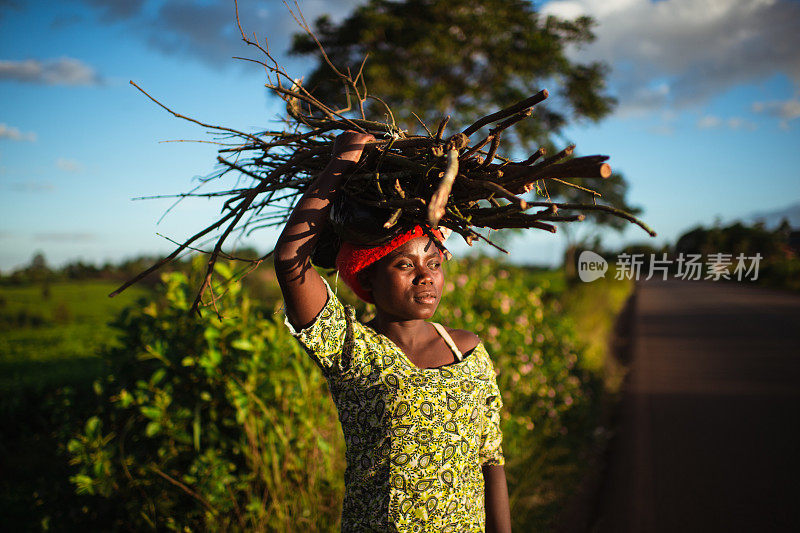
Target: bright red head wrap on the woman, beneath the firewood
353 258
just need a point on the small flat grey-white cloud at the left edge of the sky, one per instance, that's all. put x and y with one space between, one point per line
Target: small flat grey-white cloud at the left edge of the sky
62 71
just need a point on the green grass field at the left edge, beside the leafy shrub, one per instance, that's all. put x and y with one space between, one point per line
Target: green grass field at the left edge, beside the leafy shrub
50 337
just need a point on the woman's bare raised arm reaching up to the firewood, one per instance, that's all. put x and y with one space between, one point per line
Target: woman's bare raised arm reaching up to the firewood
303 291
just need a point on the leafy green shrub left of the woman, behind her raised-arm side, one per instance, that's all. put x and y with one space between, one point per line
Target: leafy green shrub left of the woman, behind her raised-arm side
211 424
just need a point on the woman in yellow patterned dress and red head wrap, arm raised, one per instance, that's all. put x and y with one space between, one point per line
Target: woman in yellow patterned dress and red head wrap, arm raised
418 402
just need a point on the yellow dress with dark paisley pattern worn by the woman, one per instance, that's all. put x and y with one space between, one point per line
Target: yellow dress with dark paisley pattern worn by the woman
416 438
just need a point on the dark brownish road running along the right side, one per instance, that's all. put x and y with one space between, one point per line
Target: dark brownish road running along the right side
710 425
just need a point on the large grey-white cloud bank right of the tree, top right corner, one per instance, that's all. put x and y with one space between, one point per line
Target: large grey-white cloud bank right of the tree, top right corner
698 48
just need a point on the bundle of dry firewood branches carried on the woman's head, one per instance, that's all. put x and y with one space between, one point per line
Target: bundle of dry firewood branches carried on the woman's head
457 180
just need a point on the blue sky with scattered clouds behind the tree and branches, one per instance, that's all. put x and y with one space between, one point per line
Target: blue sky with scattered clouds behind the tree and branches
706 129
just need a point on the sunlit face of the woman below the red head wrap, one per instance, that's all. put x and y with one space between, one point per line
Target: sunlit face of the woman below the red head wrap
407 283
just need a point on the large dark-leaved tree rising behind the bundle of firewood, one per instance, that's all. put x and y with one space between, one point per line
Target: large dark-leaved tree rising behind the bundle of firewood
466 59
